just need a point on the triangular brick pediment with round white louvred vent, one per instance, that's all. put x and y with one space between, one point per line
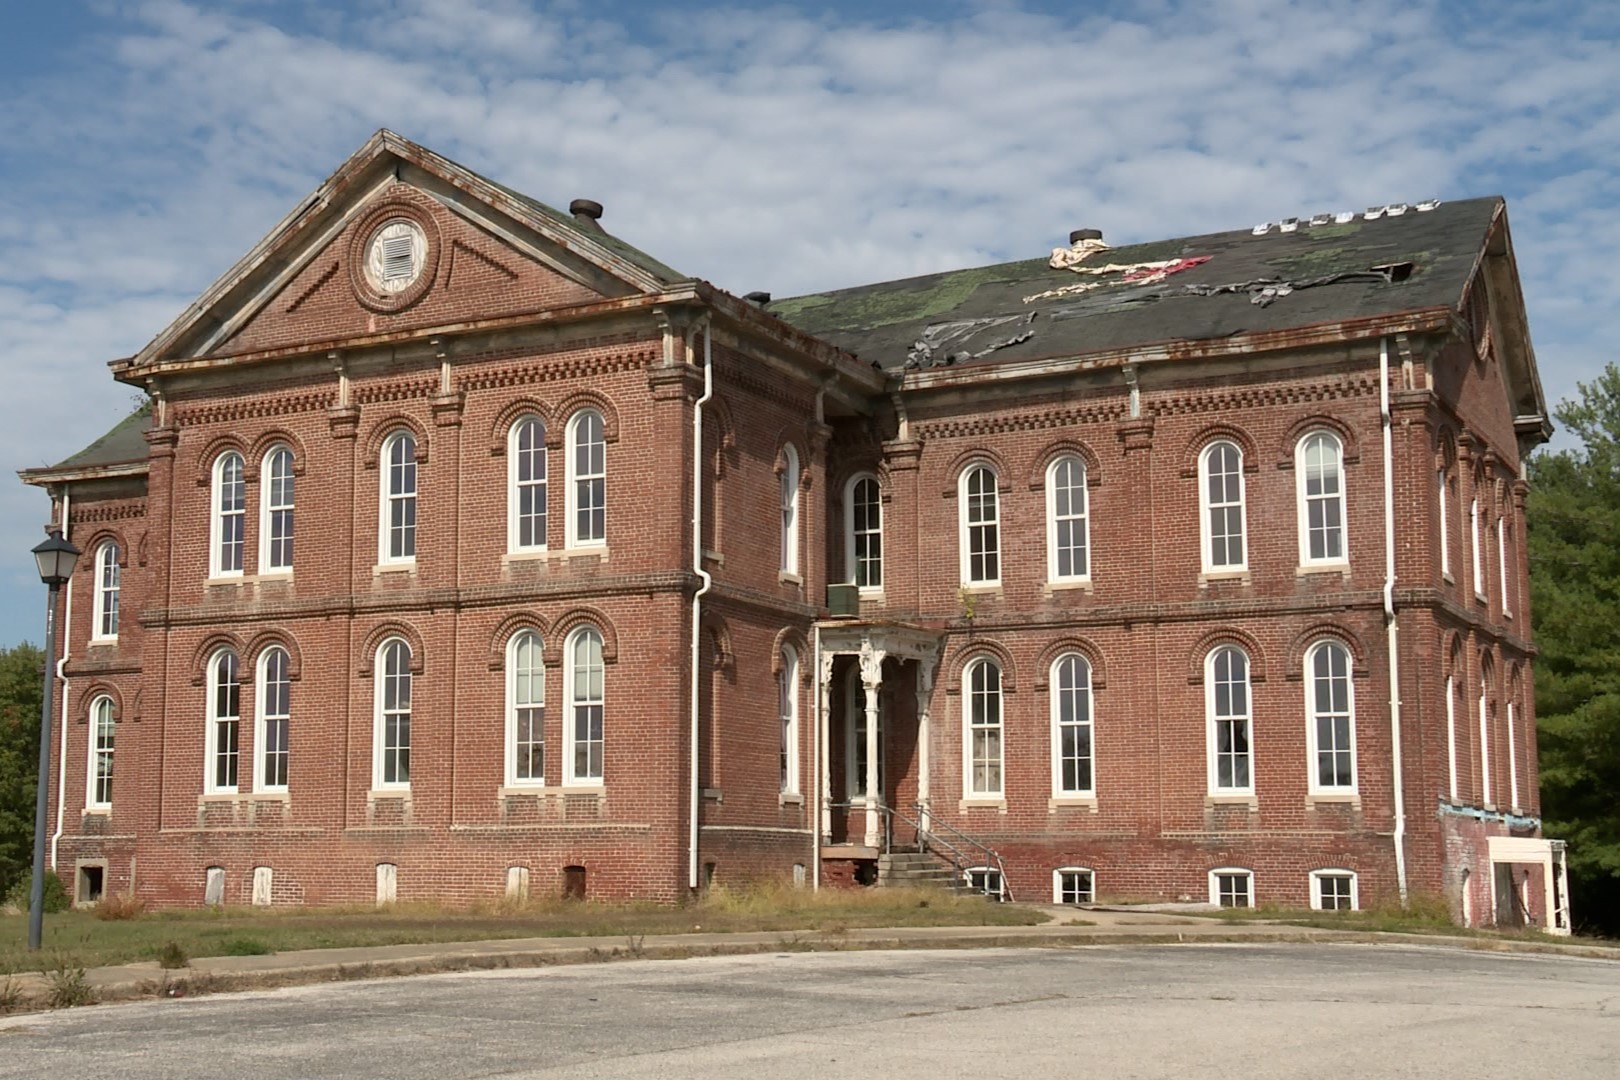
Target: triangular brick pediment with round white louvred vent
401 240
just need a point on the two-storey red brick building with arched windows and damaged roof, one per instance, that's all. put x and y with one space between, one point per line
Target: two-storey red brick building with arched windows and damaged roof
467 550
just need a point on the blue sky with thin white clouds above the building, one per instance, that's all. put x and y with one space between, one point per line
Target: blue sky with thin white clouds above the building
147 145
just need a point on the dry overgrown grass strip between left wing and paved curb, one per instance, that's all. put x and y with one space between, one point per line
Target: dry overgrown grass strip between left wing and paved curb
82 940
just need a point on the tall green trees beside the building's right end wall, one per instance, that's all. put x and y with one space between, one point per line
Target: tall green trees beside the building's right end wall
1575 584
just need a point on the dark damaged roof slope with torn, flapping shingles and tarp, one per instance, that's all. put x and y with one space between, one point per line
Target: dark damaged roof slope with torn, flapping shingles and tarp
1193 289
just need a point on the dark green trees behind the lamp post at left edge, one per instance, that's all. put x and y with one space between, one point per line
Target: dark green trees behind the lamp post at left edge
22 684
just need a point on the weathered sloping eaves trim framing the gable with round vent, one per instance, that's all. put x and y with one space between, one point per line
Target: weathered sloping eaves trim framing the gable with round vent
288 249
